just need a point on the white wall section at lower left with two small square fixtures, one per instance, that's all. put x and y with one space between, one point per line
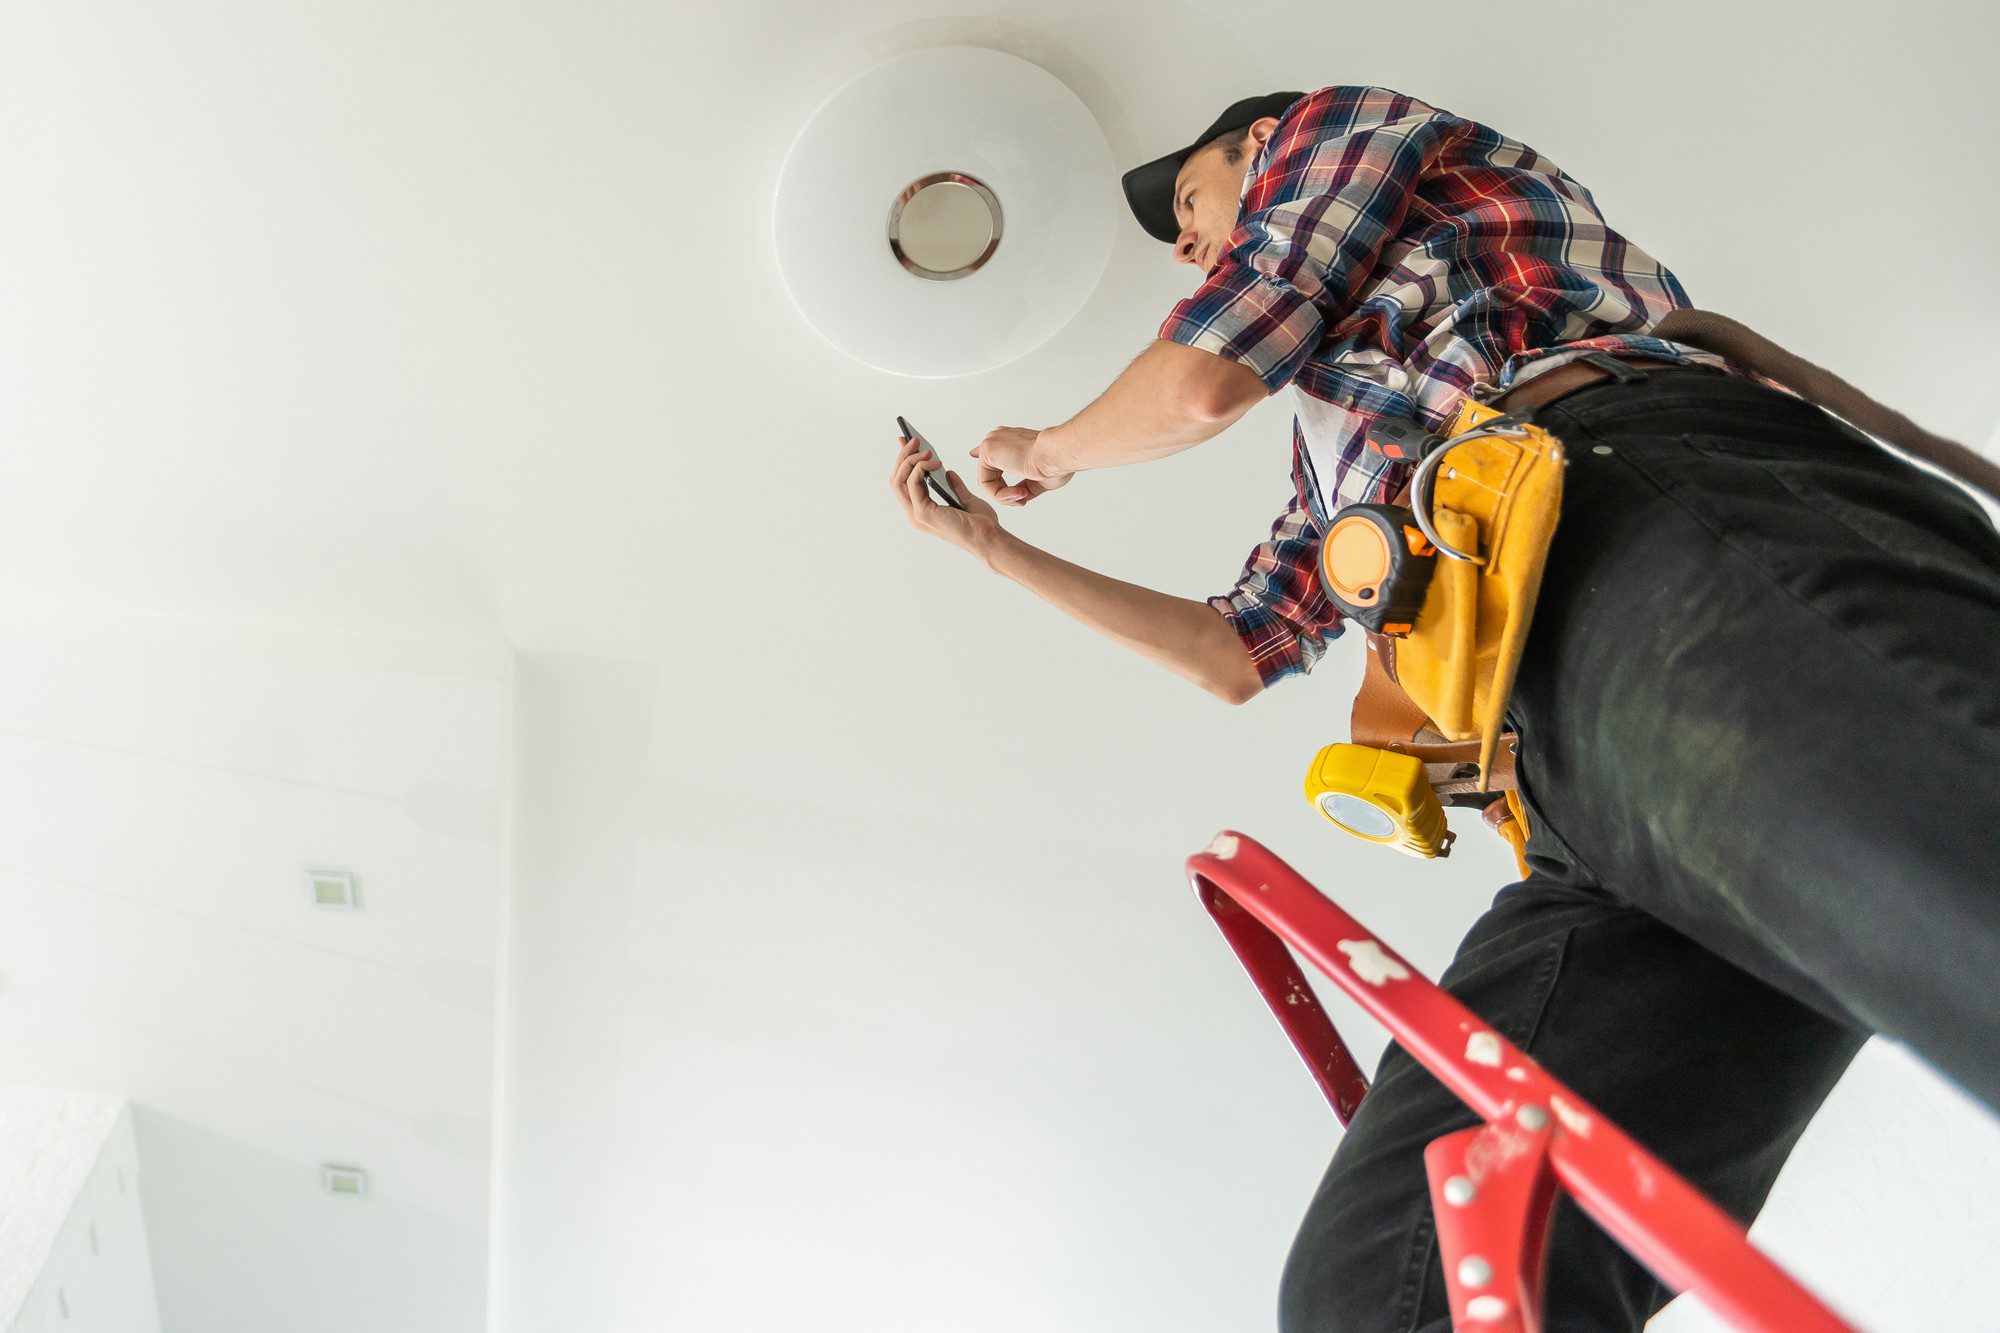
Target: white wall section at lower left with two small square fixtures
165 786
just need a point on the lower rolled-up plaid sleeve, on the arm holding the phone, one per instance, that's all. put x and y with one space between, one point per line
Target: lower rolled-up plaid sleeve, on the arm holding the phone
1277 605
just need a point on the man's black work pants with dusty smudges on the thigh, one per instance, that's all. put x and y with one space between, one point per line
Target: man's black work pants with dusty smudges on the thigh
1761 758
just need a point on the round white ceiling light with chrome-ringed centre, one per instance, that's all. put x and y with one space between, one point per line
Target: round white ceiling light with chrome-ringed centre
945 213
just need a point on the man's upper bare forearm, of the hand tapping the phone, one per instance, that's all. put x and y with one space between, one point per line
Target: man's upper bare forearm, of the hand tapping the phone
1171 399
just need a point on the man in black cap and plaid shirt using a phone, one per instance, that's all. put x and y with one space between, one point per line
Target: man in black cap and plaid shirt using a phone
1761 746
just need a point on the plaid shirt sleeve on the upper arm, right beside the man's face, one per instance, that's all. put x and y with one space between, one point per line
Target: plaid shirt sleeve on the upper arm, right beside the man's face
1339 179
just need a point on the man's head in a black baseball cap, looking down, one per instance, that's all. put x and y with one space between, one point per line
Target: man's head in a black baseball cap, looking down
1191 199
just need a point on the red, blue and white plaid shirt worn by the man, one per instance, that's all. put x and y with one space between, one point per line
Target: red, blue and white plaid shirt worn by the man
1387 261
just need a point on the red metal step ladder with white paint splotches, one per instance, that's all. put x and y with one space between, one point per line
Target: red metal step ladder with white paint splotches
1493 1188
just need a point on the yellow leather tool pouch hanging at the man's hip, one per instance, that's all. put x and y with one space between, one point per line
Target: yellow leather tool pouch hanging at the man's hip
1497 499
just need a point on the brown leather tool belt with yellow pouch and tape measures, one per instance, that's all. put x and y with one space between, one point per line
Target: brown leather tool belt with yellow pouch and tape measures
1445 581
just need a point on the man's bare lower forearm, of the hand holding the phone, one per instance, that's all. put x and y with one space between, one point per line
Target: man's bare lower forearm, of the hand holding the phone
1185 635
